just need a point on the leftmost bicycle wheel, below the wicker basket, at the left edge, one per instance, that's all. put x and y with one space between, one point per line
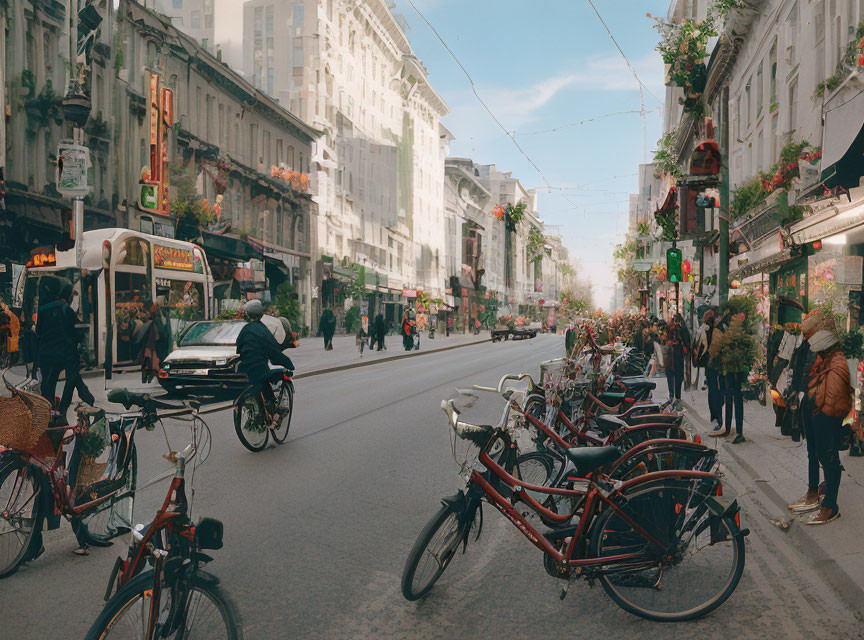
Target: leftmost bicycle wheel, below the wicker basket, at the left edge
20 513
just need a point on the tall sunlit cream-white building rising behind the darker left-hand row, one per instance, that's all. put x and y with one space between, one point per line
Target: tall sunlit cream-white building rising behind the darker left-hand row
348 69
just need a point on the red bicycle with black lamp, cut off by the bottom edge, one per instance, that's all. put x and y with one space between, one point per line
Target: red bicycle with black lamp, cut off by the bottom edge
175 598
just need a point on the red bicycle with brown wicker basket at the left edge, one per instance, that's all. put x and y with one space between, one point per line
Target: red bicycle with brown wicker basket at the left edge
90 481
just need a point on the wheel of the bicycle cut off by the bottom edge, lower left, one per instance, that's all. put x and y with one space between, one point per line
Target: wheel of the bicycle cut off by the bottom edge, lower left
209 613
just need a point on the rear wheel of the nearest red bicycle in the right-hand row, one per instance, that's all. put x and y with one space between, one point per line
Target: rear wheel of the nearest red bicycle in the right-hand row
699 574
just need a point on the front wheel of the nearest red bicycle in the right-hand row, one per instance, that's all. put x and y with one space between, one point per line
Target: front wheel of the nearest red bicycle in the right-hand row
432 553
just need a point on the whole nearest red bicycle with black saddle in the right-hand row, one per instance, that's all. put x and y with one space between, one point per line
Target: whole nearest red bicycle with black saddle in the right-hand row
663 545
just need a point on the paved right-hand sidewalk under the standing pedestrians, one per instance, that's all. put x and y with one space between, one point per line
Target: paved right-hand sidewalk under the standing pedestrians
777 467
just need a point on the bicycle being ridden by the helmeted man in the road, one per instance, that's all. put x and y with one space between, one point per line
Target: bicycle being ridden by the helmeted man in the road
256 420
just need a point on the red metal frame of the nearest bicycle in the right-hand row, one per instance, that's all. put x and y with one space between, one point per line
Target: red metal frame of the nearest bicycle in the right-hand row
590 502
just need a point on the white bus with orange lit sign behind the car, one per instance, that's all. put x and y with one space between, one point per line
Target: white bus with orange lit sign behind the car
123 274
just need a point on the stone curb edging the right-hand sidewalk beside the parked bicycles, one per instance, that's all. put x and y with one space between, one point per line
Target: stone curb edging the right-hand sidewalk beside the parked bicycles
849 591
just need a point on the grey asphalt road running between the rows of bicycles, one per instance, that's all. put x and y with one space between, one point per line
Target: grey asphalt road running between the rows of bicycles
317 530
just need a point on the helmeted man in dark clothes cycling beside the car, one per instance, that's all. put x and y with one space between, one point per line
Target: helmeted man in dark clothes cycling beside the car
257 346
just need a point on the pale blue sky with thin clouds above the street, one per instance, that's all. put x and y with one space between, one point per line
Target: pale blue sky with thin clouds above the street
551 67
